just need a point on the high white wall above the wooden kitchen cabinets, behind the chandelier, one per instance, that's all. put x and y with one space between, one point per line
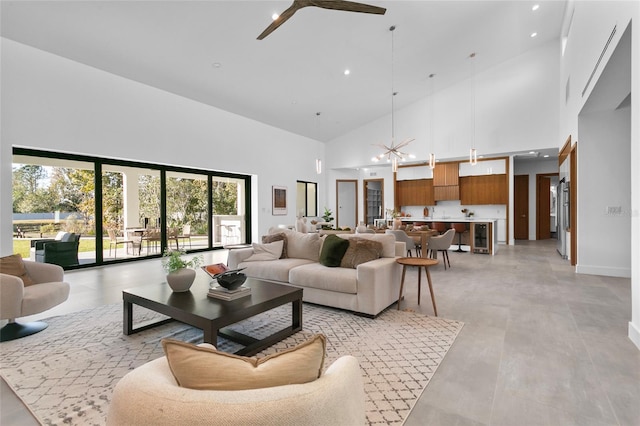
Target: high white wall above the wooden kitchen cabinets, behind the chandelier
516 110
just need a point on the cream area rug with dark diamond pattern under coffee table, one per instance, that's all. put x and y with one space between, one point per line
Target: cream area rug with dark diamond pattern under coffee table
66 374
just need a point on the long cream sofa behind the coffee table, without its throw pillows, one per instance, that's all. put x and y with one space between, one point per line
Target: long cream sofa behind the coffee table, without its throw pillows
367 289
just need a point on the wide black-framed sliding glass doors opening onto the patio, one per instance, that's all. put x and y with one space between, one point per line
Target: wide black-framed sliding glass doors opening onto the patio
130 211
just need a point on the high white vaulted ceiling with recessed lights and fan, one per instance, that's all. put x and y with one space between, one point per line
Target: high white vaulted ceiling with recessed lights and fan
297 71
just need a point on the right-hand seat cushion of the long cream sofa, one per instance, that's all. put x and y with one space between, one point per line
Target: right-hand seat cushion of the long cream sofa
315 275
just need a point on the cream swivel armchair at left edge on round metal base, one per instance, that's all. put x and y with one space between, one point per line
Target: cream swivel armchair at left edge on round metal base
18 300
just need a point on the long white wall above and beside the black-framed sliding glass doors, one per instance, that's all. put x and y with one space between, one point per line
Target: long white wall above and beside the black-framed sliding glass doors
52 103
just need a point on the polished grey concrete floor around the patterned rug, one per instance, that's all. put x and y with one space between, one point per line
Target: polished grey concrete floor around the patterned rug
541 345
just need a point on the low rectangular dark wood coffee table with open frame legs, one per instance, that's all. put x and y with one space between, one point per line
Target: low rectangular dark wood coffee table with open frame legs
195 308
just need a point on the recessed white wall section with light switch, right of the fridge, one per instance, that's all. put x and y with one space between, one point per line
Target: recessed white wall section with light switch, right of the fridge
603 181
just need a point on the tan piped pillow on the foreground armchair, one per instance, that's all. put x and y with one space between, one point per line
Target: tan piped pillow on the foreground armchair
204 368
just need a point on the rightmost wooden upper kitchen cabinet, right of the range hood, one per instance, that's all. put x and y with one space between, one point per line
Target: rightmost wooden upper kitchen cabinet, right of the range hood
484 189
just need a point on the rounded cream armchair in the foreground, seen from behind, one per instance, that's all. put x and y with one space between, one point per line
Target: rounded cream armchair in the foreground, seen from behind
149 395
